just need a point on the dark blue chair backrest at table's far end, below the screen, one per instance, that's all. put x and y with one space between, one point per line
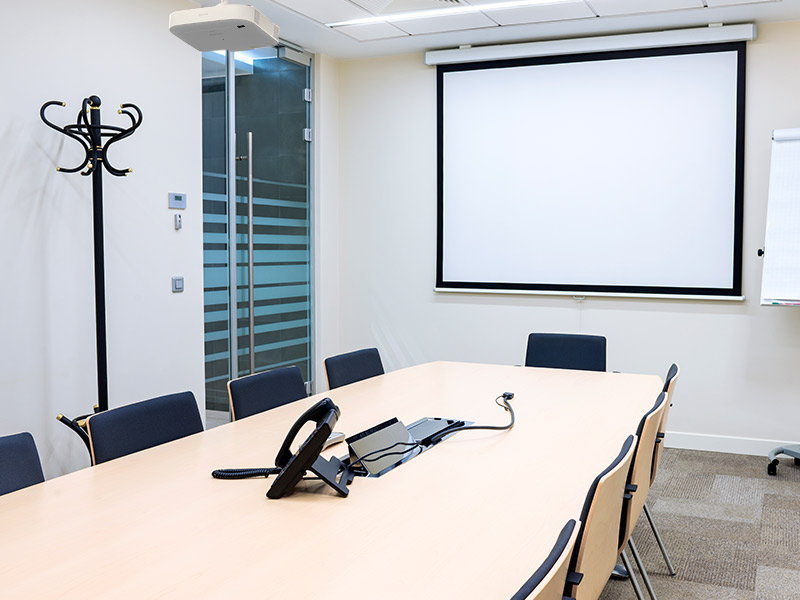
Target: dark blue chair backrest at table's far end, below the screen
566 351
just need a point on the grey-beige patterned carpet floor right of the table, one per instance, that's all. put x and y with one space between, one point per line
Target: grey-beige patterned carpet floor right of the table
733 532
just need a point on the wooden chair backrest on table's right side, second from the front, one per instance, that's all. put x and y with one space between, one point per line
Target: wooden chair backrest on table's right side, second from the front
596 549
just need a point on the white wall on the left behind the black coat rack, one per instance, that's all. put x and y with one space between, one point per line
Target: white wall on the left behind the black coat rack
123 52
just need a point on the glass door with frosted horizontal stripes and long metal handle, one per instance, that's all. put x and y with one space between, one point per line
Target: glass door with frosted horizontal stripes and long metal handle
258 314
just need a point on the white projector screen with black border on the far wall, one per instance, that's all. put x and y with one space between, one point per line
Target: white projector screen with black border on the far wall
615 173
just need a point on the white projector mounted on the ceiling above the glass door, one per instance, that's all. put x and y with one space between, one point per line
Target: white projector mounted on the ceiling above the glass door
225 26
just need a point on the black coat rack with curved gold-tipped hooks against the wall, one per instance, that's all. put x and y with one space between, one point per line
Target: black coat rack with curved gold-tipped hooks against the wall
89 133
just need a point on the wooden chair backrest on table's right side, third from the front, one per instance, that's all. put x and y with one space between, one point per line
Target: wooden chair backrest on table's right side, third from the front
641 468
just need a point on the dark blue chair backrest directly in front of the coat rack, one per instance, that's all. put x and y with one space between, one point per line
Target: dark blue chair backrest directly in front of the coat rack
128 429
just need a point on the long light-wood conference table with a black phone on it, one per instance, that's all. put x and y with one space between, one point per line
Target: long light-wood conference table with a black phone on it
473 517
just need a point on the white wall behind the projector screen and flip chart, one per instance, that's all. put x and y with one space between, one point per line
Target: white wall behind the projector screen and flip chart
739 385
